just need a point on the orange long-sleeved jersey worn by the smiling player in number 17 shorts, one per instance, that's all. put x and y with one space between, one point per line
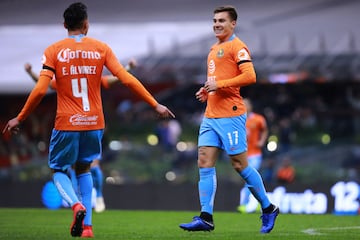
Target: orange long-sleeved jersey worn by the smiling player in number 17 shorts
229 64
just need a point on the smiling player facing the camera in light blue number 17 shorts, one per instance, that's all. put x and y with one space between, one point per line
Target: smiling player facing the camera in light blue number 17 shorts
229 68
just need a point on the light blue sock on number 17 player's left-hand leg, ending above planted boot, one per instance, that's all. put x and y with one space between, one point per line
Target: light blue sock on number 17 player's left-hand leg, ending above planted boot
207 189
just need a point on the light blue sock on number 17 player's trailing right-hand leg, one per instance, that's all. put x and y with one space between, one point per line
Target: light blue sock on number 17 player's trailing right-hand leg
255 185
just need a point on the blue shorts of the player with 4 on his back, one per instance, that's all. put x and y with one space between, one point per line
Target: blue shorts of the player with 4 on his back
68 147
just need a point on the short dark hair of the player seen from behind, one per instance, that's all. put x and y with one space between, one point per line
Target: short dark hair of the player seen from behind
75 15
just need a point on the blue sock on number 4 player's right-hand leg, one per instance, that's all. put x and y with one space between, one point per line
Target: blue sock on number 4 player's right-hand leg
85 187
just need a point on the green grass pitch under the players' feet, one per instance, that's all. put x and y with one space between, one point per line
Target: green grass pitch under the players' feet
24 223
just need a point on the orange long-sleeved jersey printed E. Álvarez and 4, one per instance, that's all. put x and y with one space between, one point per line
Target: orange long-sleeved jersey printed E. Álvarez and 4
77 62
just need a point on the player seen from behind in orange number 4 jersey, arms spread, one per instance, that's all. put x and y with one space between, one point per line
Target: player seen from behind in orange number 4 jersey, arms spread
77 63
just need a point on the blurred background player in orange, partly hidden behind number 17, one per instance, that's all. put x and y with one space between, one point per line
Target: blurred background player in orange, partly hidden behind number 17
257 133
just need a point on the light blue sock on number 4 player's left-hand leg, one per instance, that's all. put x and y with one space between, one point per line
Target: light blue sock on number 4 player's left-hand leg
65 188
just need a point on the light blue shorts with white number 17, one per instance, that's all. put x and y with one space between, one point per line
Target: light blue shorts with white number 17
228 134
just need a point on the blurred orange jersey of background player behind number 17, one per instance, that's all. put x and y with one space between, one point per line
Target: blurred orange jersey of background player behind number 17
255 124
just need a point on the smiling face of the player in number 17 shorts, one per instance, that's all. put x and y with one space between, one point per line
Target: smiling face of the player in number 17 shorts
223 26
